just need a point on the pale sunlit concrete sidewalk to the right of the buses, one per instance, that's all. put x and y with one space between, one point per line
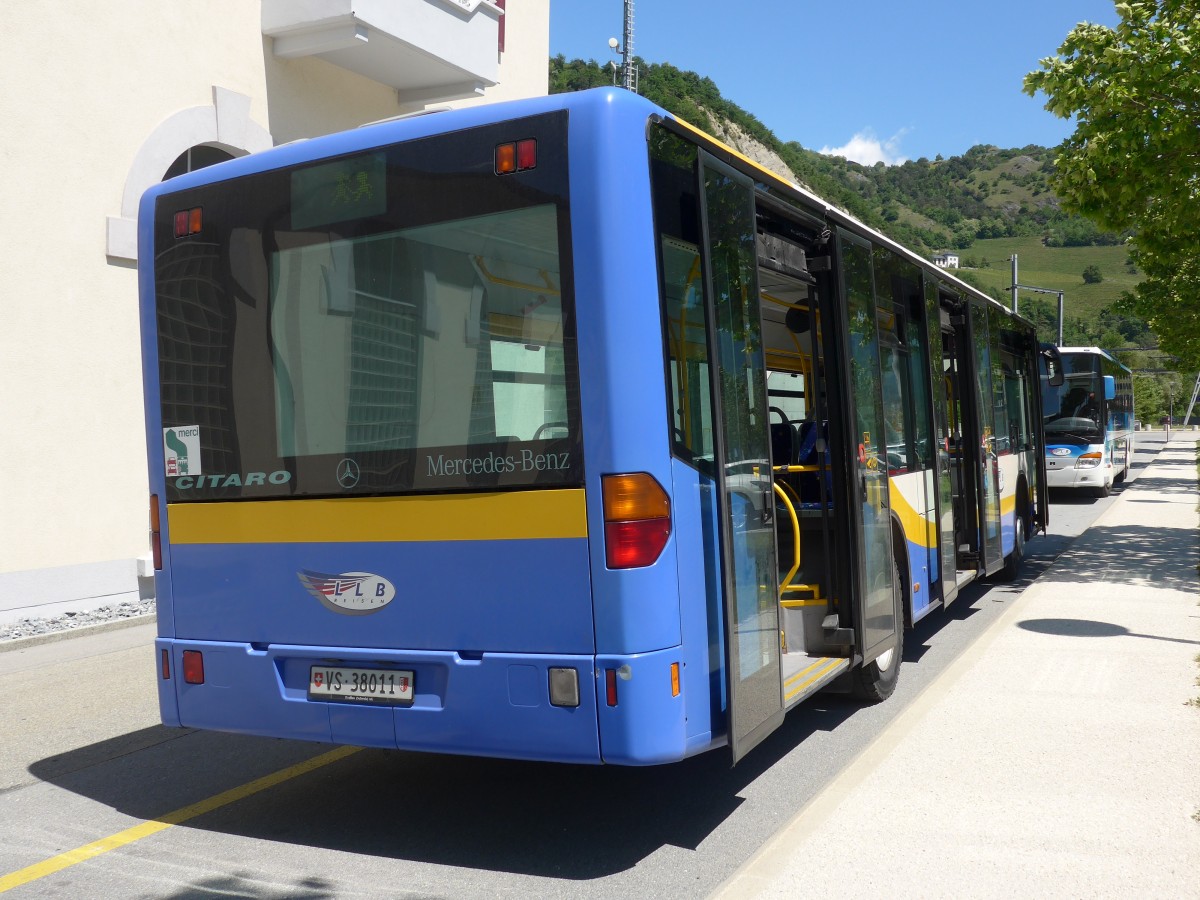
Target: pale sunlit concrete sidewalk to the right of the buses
1058 758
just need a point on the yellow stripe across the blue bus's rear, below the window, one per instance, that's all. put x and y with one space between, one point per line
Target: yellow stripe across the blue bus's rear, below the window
514 515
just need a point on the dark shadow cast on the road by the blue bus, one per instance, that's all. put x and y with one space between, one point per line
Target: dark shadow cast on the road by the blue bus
561 821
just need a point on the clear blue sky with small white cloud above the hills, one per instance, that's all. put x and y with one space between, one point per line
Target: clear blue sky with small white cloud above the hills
869 80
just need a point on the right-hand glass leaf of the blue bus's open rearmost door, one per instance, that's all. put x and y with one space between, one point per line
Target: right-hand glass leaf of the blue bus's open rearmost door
879 616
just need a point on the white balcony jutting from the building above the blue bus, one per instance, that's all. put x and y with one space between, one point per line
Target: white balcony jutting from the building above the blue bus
430 51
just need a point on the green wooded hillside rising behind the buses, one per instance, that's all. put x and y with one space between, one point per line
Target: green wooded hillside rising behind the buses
986 206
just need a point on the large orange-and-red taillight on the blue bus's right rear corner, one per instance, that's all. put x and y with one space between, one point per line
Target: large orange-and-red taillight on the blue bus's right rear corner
637 520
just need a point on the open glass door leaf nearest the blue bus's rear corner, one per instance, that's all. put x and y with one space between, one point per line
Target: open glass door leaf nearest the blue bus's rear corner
743 457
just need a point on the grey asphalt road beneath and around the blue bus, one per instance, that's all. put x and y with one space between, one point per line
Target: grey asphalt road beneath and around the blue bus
83 759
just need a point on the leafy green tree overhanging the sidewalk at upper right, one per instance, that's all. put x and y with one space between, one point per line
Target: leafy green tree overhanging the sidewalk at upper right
1133 160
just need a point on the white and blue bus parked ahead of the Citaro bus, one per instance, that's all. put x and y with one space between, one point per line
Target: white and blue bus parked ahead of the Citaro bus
1089 422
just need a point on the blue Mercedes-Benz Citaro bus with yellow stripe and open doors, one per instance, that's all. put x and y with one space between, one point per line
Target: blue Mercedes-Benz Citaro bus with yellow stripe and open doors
557 430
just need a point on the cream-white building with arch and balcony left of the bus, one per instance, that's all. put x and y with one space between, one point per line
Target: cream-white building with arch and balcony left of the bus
100 101
